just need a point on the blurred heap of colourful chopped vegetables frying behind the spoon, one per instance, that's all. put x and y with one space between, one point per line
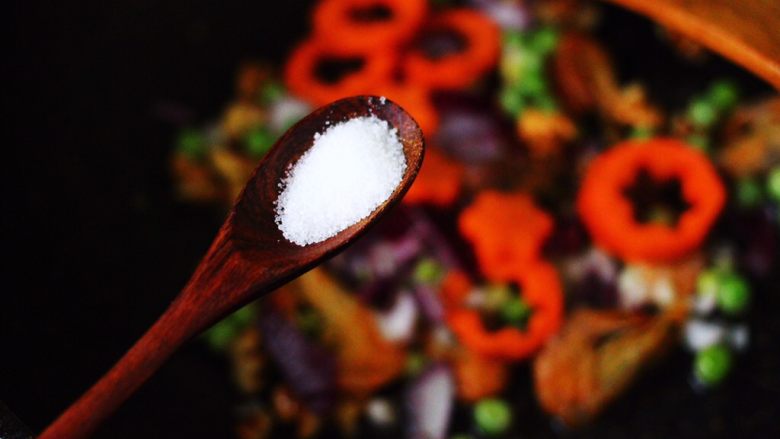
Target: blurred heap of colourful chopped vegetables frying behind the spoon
567 230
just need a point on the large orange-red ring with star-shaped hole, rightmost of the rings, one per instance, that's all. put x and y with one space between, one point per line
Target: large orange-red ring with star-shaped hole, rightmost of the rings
609 215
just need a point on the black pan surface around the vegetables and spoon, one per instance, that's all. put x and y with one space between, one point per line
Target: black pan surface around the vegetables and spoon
99 245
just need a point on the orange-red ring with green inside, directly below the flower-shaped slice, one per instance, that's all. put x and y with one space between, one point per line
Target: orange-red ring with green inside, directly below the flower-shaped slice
541 290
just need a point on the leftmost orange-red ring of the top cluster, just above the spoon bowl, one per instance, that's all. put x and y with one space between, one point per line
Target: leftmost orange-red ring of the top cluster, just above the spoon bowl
302 77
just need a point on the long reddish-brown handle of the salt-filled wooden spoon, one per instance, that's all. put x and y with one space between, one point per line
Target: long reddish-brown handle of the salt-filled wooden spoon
221 283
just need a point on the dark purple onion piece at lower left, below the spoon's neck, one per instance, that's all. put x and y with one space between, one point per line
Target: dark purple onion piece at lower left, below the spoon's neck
308 369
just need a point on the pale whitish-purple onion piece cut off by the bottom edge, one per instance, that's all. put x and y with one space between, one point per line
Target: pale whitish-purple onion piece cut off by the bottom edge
430 400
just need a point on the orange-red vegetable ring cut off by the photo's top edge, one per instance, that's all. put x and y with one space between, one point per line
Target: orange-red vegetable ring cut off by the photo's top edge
351 27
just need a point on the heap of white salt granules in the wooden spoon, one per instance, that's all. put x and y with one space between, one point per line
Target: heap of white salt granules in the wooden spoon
351 169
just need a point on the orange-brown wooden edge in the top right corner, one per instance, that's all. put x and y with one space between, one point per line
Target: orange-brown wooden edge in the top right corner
744 31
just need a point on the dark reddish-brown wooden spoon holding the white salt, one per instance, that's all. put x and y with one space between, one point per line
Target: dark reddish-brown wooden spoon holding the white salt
249 258
